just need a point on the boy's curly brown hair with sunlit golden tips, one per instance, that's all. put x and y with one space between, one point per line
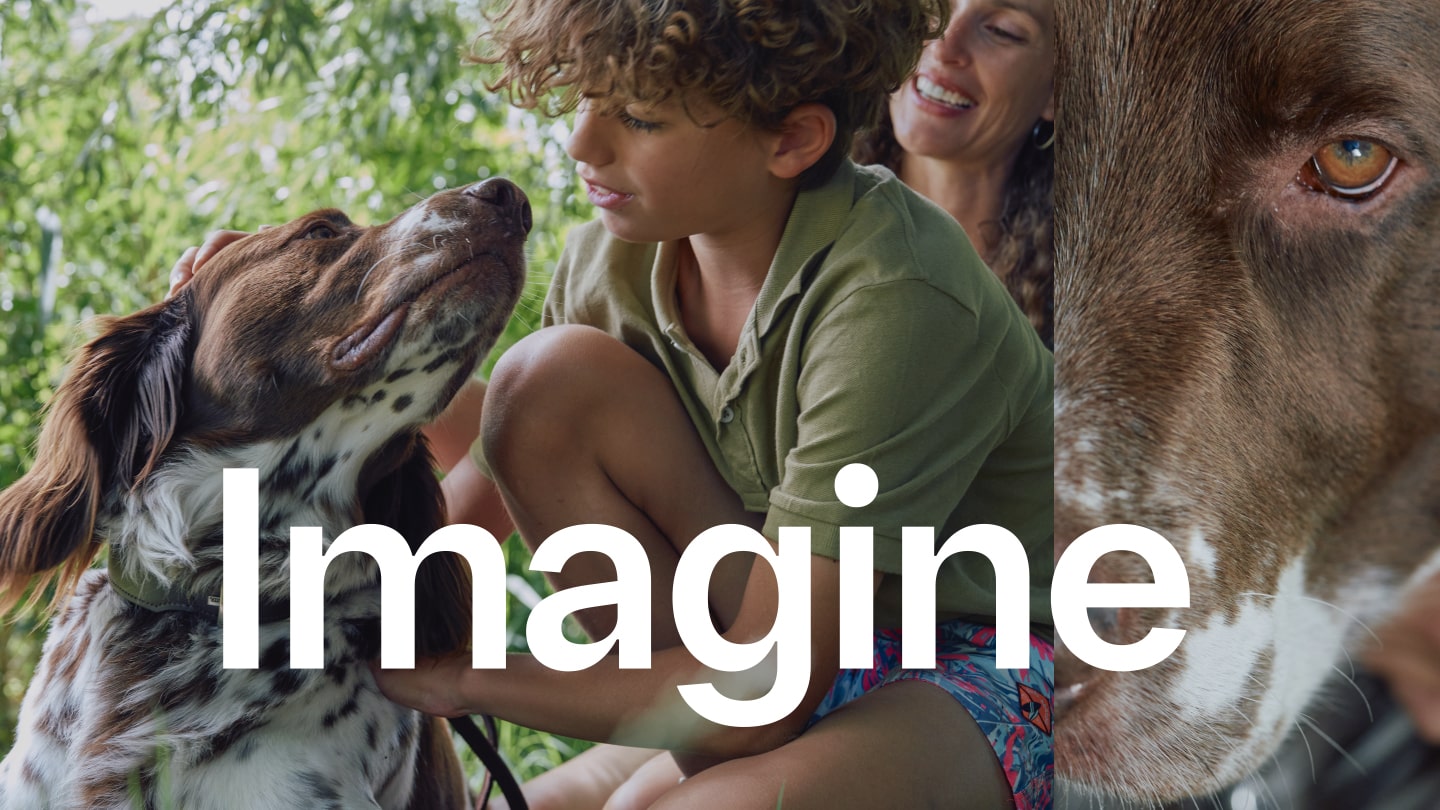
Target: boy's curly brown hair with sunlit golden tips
754 60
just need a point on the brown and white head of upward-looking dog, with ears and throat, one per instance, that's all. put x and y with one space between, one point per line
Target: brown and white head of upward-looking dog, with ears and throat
313 351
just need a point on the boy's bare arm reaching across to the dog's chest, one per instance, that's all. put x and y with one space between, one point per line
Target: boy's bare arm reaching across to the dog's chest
637 707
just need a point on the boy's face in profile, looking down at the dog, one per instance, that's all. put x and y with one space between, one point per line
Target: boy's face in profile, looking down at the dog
657 175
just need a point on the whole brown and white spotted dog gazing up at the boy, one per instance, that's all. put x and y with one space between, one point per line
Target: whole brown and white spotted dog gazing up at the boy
313 352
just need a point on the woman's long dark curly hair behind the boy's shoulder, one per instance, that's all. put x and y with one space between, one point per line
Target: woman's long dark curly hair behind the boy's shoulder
1025 257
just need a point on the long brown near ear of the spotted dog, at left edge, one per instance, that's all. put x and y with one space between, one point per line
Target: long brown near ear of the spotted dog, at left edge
106 427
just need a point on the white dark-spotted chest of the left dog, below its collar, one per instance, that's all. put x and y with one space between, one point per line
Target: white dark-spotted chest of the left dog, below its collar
135 704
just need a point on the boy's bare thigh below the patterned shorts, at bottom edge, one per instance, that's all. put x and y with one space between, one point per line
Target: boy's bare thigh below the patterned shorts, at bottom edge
906 744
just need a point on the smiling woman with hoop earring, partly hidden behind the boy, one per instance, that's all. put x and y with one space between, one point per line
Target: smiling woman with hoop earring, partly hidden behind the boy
973 130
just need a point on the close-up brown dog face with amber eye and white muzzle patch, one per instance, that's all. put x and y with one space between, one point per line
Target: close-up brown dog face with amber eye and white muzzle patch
1249 318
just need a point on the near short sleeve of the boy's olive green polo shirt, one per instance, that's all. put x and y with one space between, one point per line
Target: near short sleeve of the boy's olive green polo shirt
895 377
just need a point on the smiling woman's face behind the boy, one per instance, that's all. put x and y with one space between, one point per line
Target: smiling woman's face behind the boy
983 86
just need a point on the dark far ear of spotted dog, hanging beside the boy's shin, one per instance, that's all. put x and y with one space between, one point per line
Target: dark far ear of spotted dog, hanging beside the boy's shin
410 501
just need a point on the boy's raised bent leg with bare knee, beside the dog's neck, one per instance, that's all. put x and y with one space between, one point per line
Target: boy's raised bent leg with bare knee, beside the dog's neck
580 429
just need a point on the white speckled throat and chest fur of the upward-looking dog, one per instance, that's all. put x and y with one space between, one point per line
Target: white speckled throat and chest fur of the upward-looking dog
130 703
